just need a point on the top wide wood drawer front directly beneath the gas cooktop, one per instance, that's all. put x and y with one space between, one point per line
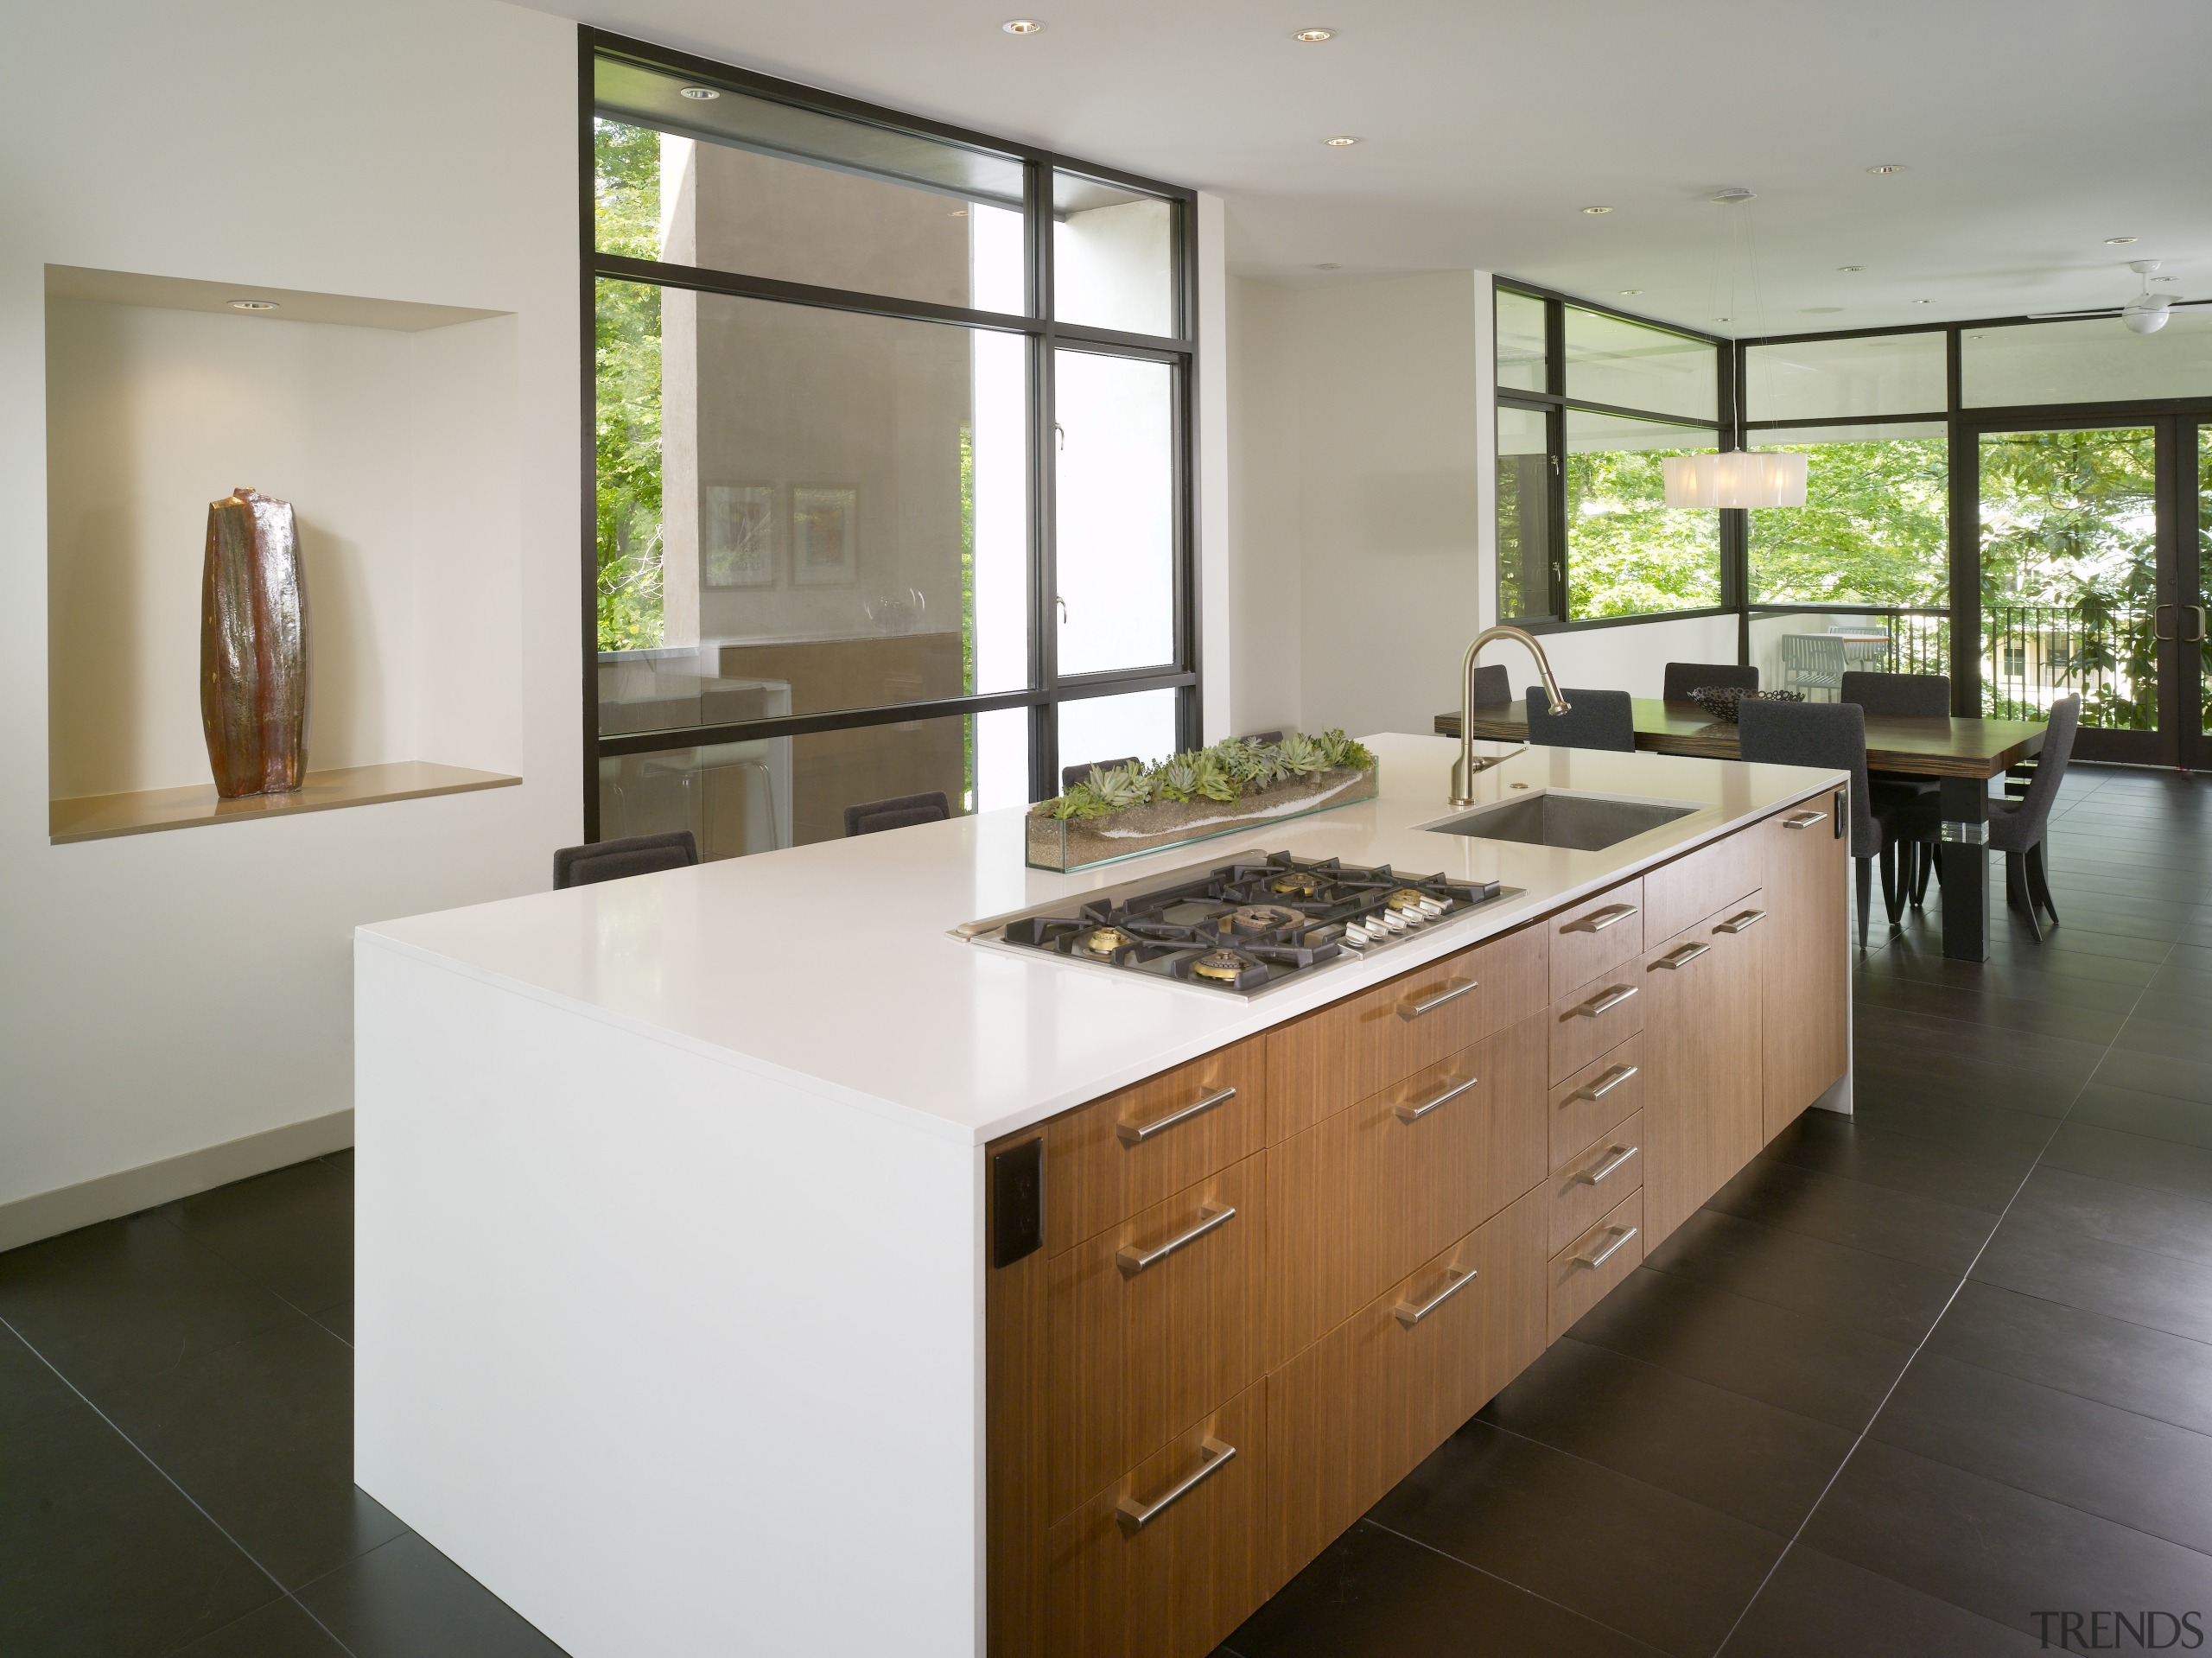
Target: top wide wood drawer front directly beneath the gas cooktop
1339 1056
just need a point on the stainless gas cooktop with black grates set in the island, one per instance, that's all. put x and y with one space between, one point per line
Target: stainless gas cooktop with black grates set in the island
1240 927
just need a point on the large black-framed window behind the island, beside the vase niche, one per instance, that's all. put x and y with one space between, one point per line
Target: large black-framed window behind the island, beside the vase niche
893 461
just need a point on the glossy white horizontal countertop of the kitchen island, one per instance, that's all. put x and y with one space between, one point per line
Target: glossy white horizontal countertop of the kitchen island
833 969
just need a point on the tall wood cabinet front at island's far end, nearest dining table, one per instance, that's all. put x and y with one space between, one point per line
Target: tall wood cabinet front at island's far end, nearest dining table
1808 967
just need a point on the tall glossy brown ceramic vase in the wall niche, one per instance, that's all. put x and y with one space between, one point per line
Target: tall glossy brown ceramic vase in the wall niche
253 647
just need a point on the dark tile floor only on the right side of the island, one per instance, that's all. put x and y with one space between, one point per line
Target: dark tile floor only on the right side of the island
1912 1378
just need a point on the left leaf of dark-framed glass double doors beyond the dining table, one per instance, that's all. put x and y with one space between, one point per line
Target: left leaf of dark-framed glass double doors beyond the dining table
2083 589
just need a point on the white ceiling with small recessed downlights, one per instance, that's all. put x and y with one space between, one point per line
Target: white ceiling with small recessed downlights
2030 132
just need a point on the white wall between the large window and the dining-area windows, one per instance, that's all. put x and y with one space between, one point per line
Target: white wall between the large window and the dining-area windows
1364 523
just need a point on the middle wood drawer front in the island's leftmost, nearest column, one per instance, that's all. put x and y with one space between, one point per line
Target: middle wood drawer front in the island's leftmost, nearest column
1140 1354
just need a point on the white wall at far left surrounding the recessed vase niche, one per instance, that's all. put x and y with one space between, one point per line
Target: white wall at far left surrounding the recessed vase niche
174 991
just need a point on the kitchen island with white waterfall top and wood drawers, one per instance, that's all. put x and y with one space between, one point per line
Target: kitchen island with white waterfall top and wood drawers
747 1263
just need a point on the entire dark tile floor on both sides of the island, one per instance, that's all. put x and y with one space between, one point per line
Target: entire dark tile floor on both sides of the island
1903 1385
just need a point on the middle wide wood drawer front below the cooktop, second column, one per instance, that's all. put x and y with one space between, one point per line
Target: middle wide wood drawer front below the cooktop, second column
1364 1197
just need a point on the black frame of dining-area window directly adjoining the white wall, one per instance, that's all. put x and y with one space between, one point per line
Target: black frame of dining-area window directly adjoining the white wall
1554 403
